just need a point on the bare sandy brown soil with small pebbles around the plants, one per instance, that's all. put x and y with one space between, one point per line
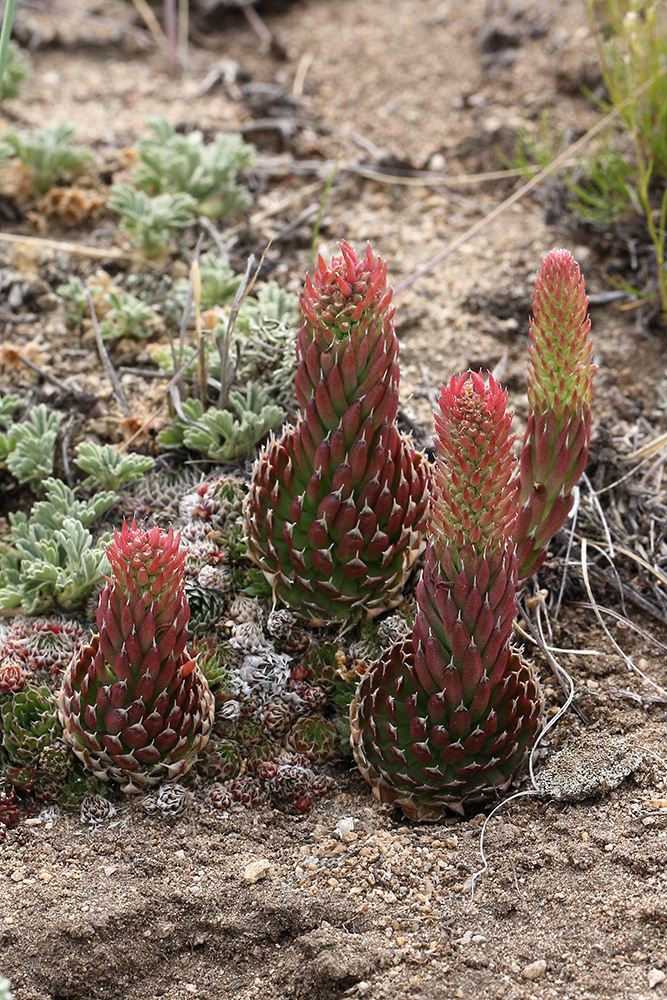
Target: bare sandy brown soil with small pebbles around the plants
574 904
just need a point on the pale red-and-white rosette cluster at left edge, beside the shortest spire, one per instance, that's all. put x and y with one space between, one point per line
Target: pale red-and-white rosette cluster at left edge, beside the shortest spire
37 650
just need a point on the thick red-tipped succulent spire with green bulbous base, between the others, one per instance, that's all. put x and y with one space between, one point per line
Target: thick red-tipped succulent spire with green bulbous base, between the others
337 505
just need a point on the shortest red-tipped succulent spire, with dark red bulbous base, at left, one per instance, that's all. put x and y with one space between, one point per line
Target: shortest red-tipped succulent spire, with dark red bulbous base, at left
134 705
